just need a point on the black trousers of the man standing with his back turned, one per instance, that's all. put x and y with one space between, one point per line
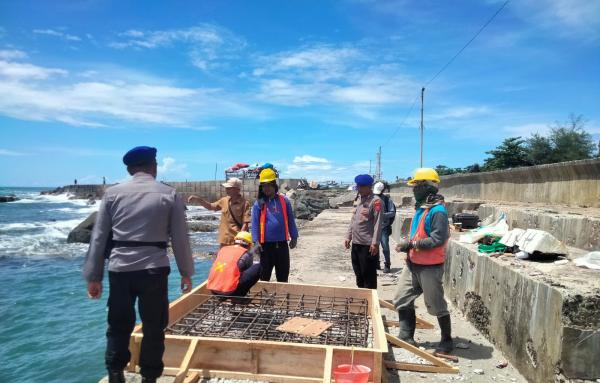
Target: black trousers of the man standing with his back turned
149 287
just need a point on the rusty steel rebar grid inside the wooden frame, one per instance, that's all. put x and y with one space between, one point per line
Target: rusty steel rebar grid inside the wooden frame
258 316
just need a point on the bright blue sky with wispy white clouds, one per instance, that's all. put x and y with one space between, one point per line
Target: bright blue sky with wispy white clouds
314 87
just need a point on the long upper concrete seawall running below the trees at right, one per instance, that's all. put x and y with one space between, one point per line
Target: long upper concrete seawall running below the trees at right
575 183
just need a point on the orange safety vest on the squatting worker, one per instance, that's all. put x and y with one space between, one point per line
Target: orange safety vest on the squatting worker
224 275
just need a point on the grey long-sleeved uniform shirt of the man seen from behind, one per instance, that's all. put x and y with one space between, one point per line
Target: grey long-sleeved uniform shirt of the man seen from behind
141 210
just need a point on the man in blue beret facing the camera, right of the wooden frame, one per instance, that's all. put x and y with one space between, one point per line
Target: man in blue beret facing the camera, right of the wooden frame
365 233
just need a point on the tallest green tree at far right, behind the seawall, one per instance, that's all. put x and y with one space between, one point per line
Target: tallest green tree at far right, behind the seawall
570 141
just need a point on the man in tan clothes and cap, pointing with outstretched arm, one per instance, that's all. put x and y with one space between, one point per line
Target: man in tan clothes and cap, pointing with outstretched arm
235 211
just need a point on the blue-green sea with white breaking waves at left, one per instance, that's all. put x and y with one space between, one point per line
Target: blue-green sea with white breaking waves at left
49 330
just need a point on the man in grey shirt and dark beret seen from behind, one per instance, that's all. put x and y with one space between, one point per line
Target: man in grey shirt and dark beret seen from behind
135 221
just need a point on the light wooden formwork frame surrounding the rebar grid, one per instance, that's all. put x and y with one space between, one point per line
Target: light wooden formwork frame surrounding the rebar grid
189 358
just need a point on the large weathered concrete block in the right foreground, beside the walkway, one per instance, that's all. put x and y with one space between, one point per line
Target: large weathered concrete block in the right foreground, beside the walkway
532 317
